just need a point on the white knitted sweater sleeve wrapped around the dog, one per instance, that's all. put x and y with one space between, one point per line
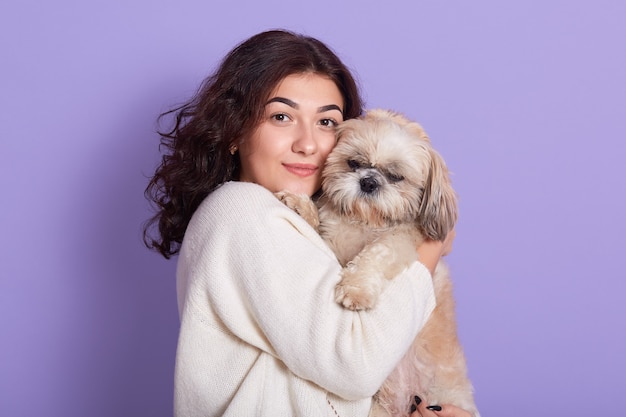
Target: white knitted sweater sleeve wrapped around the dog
270 279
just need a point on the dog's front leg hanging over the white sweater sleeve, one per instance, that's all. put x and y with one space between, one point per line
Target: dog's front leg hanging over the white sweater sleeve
363 277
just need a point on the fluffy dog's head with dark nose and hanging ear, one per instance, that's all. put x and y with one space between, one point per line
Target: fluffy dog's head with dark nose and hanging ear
384 171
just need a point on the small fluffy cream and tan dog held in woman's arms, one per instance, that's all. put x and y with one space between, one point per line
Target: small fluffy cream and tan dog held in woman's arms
384 190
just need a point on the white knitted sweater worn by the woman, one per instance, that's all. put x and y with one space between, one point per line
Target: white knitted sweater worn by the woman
260 333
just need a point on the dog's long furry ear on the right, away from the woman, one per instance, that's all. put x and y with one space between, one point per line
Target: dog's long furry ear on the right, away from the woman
438 210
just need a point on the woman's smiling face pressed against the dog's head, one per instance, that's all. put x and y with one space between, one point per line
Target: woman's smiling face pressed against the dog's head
287 150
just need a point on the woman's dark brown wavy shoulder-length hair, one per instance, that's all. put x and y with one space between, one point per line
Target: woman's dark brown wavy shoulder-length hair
224 111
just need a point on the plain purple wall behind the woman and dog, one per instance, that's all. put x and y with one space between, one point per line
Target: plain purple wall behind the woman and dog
525 100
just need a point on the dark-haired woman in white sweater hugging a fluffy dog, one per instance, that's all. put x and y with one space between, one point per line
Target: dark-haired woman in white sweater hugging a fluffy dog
260 333
